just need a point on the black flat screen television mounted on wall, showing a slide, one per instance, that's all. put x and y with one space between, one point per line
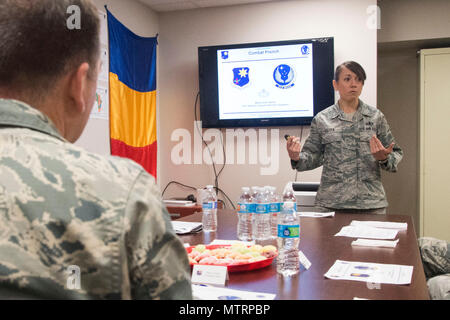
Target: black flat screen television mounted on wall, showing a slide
281 83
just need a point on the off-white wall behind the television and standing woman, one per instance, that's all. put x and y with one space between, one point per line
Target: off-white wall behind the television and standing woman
182 32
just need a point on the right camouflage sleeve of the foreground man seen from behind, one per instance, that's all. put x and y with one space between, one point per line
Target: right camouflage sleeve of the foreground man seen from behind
158 266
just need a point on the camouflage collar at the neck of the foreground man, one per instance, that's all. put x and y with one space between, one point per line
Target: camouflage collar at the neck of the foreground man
15 113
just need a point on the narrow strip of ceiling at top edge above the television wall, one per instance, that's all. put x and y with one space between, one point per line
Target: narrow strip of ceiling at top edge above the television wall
174 5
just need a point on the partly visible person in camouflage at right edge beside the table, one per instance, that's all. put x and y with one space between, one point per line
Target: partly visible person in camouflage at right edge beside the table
436 264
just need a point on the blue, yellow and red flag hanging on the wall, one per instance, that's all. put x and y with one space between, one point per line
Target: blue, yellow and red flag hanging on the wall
132 83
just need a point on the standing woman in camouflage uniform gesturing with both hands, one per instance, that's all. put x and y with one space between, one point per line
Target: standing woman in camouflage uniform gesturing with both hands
344 145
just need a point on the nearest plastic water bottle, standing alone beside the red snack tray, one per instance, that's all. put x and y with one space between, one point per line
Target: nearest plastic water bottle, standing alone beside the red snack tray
288 263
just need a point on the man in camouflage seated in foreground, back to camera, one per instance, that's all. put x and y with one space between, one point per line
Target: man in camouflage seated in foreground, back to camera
61 207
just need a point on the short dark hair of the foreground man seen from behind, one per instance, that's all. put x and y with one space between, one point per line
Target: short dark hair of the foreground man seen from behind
37 46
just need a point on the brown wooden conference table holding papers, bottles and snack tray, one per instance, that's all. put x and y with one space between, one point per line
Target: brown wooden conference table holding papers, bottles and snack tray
322 248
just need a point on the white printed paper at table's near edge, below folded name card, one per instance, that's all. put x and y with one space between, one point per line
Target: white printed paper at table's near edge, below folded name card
201 292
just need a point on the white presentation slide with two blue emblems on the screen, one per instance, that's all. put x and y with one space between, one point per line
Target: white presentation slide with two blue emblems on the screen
265 82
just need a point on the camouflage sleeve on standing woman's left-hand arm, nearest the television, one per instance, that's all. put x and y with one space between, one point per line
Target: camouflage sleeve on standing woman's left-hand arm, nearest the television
311 155
